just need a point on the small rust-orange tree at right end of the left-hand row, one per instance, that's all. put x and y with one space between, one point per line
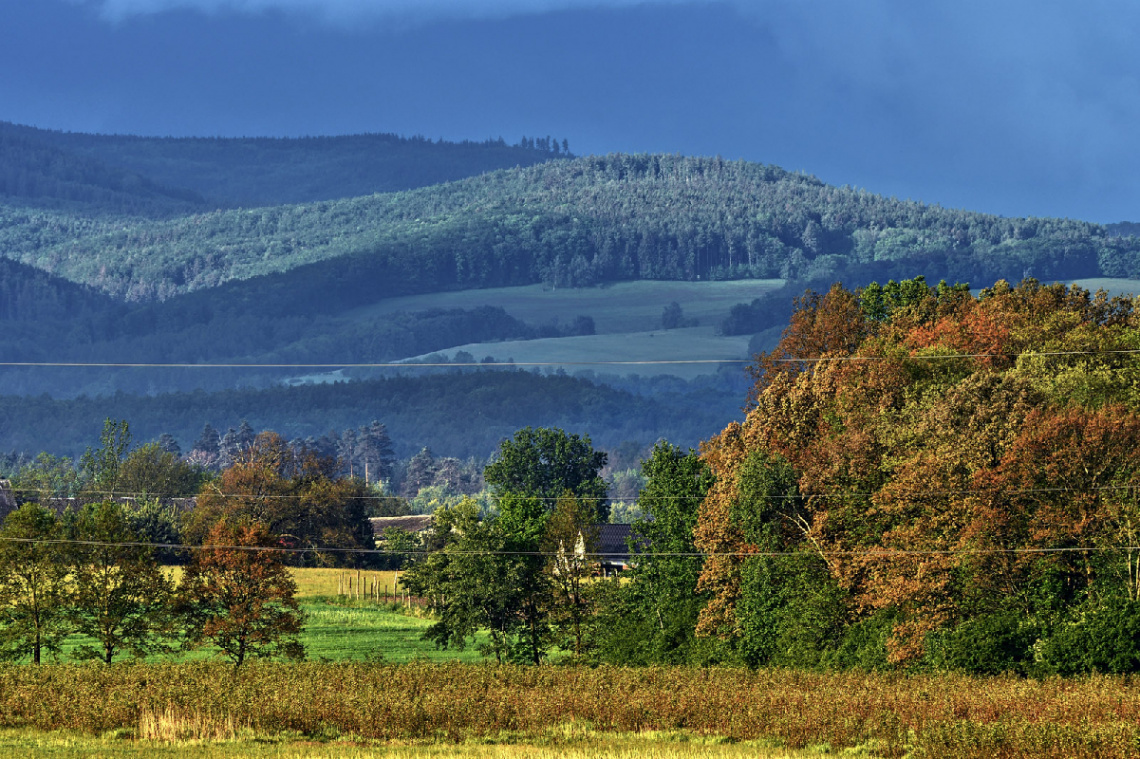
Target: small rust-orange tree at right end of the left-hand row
240 598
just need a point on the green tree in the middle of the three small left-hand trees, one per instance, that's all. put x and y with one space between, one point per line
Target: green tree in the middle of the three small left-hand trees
119 595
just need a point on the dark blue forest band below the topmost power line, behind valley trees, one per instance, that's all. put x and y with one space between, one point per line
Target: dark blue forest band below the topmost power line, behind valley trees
455 413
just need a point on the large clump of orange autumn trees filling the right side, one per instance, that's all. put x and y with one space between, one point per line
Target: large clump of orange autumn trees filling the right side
921 466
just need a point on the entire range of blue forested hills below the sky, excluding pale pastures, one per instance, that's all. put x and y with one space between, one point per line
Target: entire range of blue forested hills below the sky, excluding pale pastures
117 250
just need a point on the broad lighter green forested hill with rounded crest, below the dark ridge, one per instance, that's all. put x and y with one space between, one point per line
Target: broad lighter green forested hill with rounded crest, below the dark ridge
571 224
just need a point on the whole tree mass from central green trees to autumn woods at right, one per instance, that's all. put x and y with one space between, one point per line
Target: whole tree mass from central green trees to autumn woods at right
962 496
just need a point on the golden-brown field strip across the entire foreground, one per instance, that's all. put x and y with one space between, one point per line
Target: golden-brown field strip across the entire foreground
454 709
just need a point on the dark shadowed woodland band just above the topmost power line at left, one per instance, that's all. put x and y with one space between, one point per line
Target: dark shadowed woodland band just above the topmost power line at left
50 329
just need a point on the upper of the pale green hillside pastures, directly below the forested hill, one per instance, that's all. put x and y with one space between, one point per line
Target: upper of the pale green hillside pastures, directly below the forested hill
616 308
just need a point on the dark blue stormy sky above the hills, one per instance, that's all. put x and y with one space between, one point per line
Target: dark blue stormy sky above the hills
1015 108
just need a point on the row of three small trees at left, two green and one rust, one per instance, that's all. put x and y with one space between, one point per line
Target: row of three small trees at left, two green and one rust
91 574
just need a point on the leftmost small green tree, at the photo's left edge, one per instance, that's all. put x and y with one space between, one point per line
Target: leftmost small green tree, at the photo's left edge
34 590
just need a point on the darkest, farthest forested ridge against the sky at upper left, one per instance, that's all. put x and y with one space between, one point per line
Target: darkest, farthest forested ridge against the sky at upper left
120 174
